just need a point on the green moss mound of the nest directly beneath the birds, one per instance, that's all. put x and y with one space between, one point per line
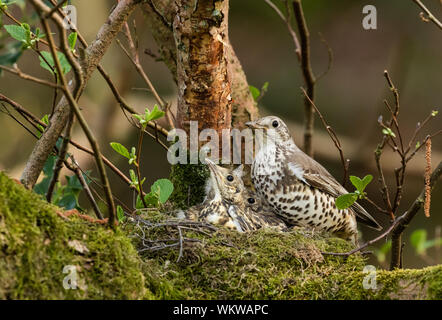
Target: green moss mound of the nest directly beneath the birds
260 265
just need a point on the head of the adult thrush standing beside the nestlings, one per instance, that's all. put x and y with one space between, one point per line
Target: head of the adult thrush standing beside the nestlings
273 128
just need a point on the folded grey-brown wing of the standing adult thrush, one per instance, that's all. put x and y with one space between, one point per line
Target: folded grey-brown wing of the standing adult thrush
318 177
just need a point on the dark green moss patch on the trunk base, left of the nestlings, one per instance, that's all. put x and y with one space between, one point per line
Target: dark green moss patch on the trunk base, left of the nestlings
188 181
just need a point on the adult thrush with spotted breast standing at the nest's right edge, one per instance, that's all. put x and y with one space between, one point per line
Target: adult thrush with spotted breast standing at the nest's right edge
298 188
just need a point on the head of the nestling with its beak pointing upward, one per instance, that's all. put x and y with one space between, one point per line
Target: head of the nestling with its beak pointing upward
227 183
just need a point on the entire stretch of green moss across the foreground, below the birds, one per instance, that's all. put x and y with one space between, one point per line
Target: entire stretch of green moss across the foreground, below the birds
36 244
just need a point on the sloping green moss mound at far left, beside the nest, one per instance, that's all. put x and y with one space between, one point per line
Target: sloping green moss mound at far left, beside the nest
36 244
